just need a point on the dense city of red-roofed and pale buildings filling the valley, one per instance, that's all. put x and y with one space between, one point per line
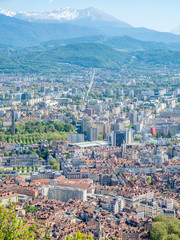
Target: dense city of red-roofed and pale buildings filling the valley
96 151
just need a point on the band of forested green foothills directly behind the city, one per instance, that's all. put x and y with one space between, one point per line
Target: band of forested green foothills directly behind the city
50 60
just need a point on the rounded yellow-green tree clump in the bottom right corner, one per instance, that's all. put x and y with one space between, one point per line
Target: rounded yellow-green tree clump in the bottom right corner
165 228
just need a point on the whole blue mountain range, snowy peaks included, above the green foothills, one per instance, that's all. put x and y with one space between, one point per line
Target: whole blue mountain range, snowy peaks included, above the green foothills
75 23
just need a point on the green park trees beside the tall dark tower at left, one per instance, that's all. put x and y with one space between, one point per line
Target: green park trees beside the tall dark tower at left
32 131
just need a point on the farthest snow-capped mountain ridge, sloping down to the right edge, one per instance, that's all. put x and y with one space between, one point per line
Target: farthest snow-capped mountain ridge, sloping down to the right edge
91 17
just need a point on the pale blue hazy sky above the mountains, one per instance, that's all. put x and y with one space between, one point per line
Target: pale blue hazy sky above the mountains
162 15
